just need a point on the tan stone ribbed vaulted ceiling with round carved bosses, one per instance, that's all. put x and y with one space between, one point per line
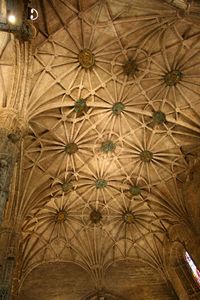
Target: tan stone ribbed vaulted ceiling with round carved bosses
114 99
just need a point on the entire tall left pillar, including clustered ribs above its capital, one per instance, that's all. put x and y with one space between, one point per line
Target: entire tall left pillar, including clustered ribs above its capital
15 80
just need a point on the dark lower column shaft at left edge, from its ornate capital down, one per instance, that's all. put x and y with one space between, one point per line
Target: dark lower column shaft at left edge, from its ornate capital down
11 131
